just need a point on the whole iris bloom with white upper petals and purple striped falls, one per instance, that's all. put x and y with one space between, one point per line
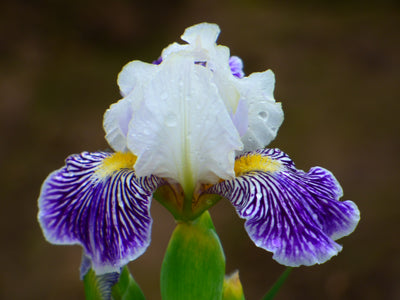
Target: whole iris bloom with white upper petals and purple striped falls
190 130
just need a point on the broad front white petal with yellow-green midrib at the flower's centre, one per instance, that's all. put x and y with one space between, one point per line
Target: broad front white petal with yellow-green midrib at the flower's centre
183 130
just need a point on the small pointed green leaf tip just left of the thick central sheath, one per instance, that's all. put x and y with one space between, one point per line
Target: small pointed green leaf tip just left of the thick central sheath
127 288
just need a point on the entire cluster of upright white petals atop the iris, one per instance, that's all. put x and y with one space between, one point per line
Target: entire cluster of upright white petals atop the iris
186 117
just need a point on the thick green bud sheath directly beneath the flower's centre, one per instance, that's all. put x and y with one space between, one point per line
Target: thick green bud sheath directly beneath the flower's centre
194 264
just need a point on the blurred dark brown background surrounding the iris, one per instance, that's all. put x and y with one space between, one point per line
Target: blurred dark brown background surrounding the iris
337 74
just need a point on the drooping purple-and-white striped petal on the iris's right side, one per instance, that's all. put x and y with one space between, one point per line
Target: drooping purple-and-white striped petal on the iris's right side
291 213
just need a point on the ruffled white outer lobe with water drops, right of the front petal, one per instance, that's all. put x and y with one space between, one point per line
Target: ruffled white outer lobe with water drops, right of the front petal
265 115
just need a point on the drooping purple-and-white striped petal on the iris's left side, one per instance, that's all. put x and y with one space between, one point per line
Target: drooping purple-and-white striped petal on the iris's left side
107 211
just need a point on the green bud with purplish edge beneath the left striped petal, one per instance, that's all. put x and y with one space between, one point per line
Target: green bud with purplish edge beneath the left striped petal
99 287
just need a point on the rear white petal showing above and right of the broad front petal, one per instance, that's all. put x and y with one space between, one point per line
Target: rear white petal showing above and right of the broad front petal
255 93
